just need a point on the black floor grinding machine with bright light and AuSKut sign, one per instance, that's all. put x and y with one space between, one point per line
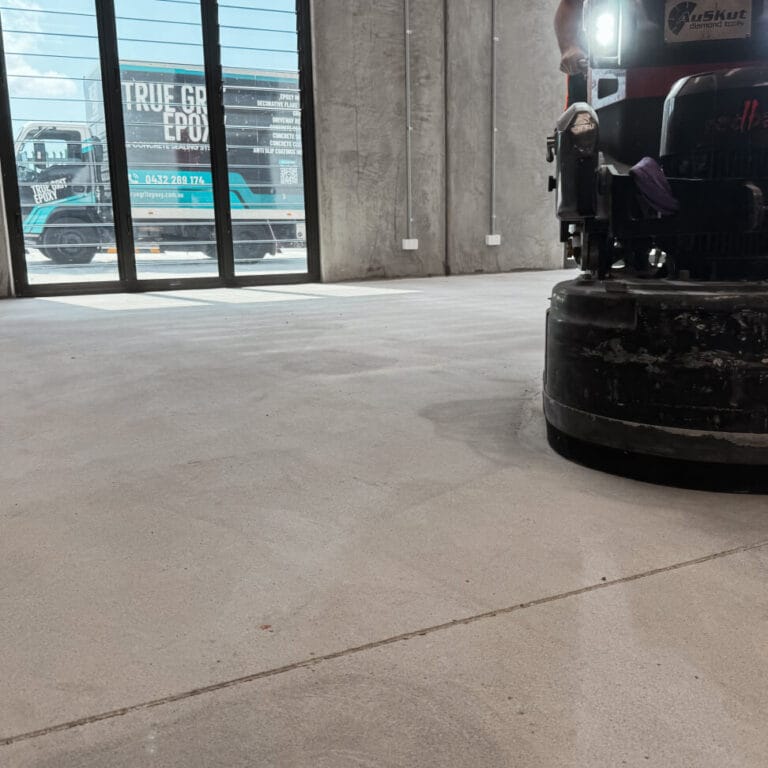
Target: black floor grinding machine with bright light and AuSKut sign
657 353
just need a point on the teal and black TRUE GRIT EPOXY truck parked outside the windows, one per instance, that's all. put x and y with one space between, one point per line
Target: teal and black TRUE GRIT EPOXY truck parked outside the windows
63 168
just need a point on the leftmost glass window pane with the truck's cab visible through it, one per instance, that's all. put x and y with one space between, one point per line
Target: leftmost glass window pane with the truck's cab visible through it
54 82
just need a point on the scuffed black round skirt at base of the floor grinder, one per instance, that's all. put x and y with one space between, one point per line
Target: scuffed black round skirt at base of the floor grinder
660 373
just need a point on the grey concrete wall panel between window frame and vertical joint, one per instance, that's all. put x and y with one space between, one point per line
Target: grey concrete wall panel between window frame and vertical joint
360 133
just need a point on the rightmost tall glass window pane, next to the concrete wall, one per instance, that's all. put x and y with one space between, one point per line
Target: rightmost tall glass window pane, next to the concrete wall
263 130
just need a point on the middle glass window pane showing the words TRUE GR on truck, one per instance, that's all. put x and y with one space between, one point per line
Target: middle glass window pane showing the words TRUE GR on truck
165 110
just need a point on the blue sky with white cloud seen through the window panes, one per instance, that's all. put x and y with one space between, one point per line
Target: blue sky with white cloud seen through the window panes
51 46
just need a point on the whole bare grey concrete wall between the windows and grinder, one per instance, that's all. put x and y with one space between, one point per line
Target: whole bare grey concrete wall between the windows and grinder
360 106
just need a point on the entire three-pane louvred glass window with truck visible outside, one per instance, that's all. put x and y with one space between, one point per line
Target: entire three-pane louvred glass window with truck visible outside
53 58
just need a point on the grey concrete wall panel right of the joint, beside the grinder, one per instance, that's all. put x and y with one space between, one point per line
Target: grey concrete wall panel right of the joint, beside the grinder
531 94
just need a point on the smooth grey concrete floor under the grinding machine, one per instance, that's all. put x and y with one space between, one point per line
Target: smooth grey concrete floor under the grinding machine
238 528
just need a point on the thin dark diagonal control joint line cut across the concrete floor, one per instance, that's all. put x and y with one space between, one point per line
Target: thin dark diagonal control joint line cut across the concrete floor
314 661
